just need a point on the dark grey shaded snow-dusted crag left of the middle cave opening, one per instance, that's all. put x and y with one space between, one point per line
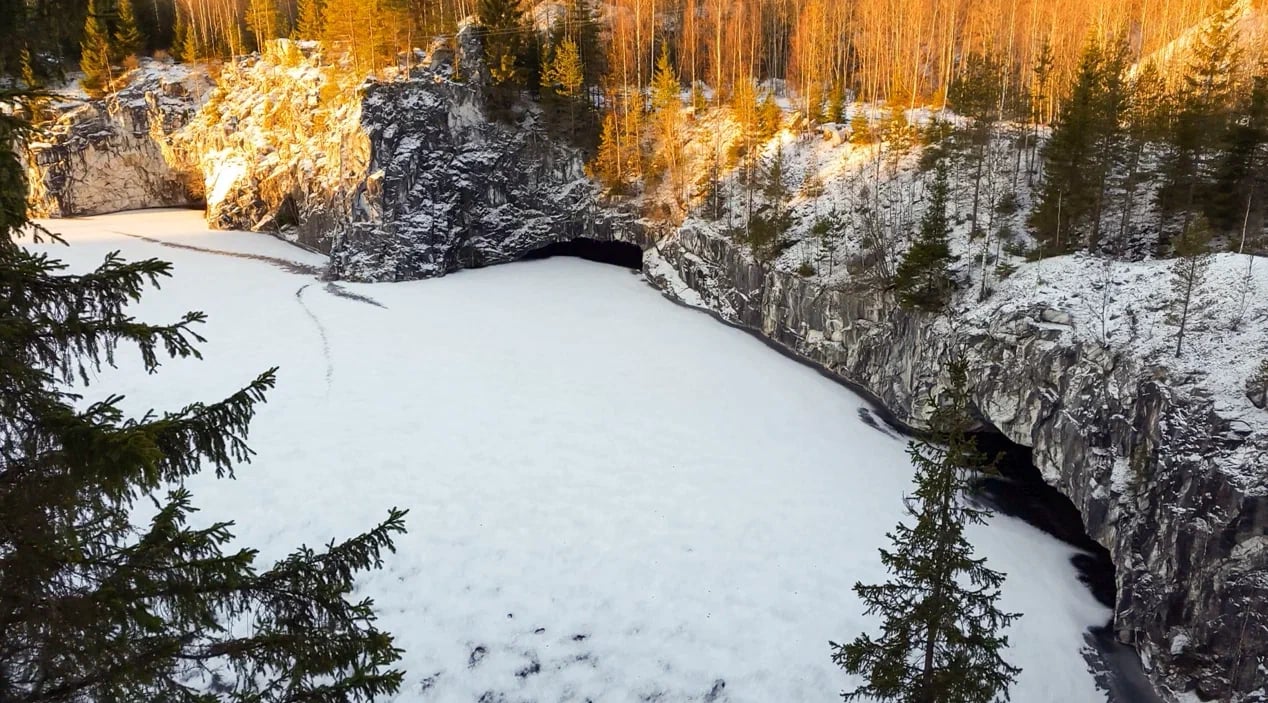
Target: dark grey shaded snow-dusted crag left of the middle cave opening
451 190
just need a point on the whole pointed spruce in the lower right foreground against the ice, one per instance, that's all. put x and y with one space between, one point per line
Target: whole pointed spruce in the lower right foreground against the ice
940 639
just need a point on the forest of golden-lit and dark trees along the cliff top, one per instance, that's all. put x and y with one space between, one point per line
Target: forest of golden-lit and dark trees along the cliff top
1142 128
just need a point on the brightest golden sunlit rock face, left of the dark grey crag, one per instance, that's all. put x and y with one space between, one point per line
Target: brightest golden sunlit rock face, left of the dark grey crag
280 145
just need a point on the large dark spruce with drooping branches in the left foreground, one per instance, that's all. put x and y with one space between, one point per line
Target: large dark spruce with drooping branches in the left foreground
98 607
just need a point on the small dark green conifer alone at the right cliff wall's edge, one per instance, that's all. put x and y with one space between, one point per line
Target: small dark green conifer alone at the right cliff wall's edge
924 279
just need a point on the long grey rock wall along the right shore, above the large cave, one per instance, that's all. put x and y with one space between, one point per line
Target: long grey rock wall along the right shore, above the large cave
1175 492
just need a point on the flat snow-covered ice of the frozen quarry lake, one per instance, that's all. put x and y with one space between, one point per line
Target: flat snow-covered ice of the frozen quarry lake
612 498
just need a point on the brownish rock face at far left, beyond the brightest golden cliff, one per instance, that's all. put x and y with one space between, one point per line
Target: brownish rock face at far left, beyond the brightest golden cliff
113 154
